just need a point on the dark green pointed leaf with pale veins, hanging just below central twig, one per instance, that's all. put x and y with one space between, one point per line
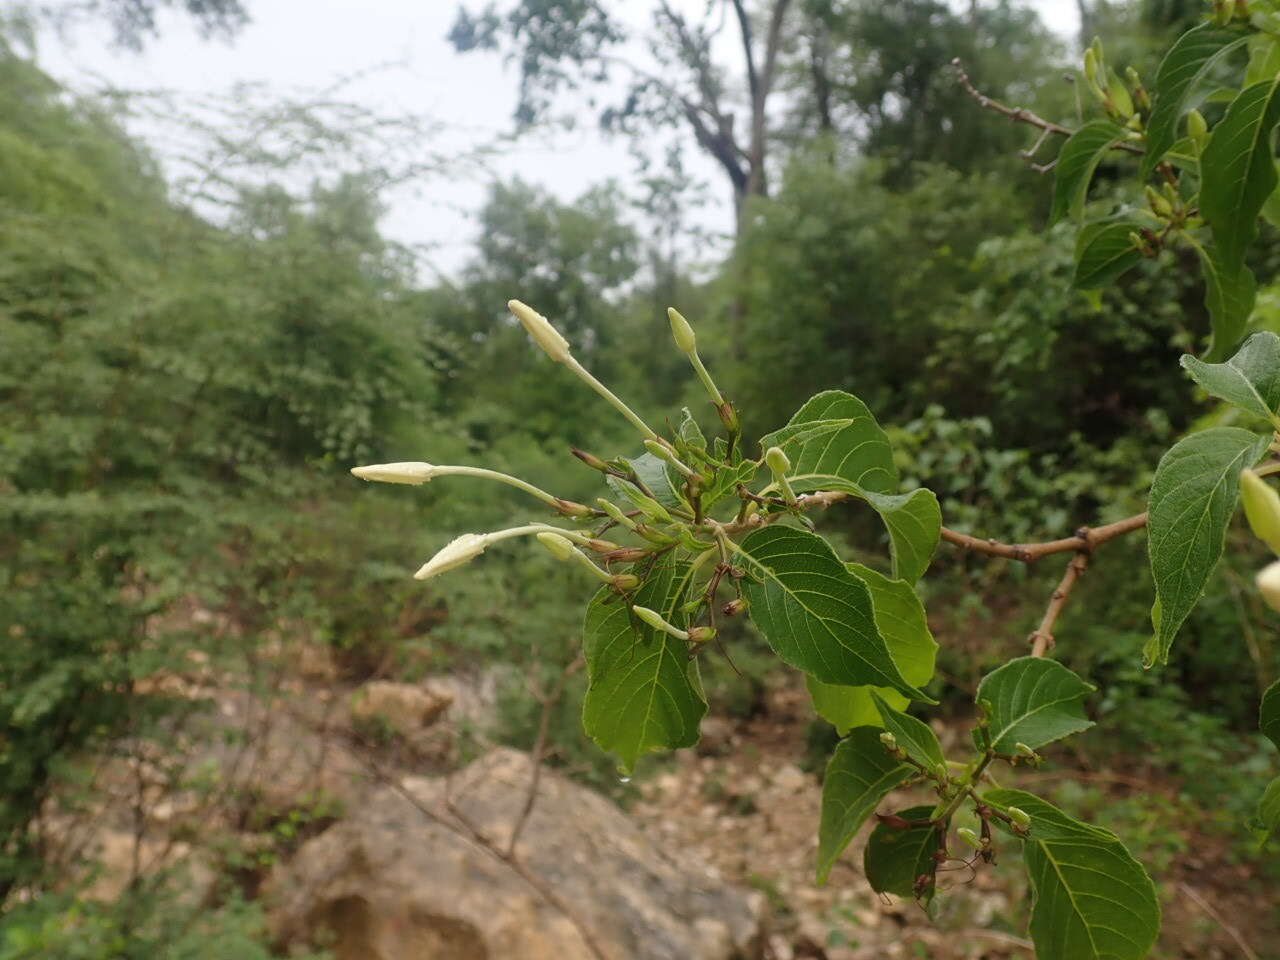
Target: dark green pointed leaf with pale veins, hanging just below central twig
815 614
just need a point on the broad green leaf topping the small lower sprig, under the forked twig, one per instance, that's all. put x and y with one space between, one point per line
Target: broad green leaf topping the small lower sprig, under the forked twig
1034 701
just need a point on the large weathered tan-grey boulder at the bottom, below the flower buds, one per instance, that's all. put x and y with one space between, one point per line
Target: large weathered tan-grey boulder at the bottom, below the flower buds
394 884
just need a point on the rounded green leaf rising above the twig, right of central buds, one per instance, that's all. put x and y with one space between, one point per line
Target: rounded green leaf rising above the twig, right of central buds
858 452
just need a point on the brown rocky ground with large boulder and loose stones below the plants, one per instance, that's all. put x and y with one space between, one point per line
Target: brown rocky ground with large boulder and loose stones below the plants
348 811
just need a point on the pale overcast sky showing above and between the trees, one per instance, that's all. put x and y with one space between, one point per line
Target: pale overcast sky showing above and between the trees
298 47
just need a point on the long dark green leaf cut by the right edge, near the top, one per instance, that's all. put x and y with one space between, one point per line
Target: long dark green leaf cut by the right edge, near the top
1238 171
